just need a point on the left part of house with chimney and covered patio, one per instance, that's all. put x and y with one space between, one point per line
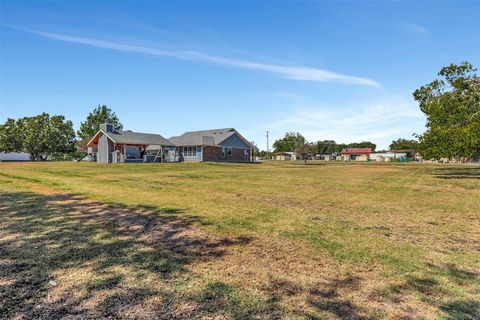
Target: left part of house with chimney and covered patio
110 145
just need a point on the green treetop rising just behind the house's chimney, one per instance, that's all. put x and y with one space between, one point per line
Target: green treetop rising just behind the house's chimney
99 115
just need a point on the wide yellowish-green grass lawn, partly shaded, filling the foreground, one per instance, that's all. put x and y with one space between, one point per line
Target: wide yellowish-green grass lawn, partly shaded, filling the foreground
239 241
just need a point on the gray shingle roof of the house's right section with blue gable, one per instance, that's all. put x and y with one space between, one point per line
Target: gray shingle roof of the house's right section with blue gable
205 137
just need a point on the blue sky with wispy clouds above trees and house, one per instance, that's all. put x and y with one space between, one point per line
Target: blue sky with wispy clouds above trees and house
330 70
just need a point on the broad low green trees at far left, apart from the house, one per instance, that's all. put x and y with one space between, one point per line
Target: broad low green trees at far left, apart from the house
41 136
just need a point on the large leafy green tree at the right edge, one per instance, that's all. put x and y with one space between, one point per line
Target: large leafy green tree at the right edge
452 107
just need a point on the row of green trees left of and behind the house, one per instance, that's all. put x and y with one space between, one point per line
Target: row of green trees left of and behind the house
53 137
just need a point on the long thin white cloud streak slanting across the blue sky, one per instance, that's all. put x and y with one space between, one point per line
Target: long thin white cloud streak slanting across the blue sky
289 72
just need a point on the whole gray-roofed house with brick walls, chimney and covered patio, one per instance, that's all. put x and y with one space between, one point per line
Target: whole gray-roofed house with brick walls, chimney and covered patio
111 145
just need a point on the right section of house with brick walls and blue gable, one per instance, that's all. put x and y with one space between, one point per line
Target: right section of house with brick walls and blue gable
214 145
